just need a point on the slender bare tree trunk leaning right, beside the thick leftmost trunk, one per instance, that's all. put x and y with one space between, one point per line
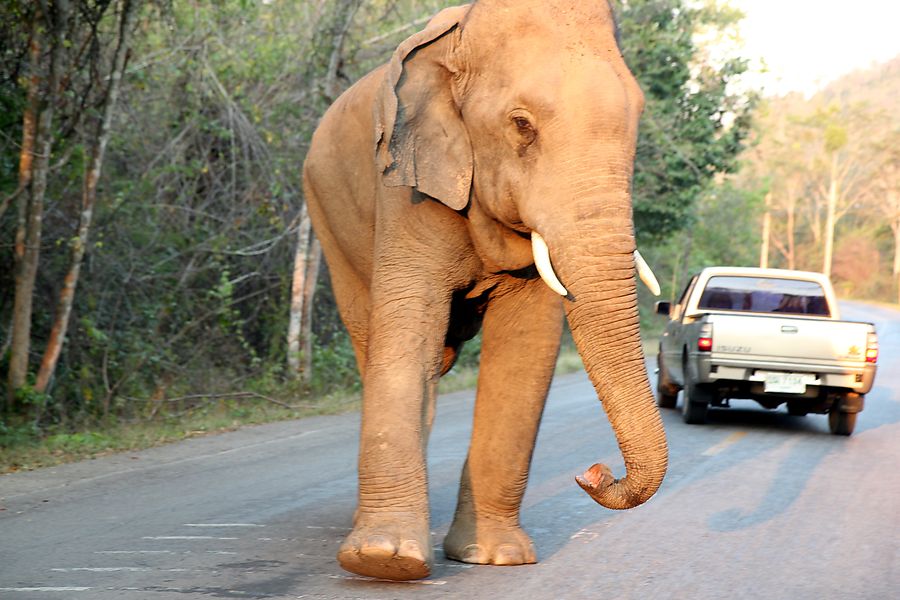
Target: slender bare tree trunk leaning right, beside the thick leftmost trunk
88 199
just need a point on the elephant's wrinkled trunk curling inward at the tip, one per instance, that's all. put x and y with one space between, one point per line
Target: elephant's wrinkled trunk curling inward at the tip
602 312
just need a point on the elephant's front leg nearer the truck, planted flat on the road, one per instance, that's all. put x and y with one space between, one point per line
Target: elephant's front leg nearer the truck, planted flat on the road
520 343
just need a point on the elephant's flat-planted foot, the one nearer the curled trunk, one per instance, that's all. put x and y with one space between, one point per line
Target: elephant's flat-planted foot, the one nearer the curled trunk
485 542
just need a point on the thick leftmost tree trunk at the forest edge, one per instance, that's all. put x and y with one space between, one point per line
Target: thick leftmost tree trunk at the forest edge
33 172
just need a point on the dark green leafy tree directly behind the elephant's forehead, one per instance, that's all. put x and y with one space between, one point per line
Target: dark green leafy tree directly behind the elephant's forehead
694 126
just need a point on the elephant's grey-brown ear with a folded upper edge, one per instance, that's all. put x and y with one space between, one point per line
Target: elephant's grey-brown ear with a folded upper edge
421 140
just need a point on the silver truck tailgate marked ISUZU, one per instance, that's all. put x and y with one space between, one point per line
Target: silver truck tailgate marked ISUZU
785 339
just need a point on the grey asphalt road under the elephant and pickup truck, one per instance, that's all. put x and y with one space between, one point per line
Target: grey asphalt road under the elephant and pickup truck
756 504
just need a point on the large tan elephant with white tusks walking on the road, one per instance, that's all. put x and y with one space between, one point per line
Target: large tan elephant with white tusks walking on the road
481 181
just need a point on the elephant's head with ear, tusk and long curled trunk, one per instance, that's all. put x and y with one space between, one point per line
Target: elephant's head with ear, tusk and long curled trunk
522 115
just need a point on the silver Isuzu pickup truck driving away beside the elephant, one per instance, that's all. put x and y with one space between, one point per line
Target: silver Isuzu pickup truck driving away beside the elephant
770 335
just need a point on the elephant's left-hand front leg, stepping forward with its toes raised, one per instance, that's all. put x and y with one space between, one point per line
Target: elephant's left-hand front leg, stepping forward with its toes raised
391 538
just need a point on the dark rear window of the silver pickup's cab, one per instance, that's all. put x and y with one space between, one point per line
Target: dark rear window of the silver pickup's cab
764 295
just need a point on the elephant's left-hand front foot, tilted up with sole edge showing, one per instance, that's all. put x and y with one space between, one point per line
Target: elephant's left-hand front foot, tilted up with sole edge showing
388 547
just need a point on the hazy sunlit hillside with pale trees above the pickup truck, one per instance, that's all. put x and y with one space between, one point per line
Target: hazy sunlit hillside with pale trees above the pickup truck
827 171
